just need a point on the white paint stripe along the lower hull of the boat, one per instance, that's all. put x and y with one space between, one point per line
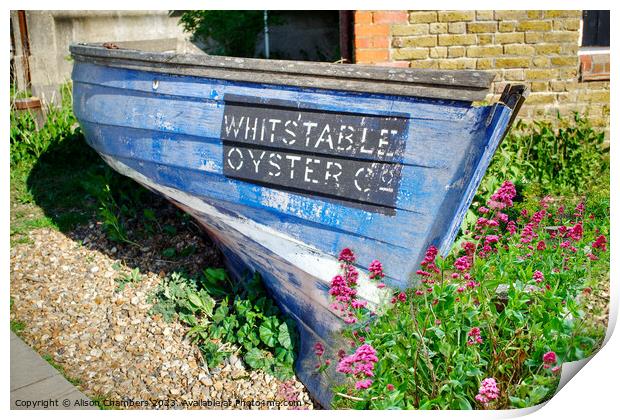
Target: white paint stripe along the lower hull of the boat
304 256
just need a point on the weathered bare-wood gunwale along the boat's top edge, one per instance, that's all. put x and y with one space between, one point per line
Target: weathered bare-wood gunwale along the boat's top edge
455 85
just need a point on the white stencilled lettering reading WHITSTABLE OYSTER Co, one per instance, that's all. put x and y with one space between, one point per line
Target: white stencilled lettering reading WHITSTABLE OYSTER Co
342 136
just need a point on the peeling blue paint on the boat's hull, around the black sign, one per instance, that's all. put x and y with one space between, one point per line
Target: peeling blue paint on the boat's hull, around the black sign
169 133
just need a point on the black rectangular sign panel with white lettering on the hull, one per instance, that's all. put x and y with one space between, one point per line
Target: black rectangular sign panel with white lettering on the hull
346 156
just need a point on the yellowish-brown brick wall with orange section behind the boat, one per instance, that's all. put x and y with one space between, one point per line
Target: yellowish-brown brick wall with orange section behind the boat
538 48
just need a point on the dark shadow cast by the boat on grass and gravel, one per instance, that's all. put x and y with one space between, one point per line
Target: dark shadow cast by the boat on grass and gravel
67 183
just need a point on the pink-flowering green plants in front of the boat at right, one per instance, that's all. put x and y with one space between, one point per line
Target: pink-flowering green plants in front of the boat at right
490 325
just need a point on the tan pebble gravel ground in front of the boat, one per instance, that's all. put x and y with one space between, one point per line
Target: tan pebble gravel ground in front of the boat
64 289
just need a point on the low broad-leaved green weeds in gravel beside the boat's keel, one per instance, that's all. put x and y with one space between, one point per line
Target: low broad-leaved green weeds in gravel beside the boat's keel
223 315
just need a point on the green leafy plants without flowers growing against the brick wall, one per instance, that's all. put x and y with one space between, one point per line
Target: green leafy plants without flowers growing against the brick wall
546 158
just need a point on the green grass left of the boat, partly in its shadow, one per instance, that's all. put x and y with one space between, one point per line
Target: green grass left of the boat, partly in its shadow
59 182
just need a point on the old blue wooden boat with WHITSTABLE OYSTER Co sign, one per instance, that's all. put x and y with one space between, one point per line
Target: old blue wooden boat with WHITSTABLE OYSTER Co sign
286 163
